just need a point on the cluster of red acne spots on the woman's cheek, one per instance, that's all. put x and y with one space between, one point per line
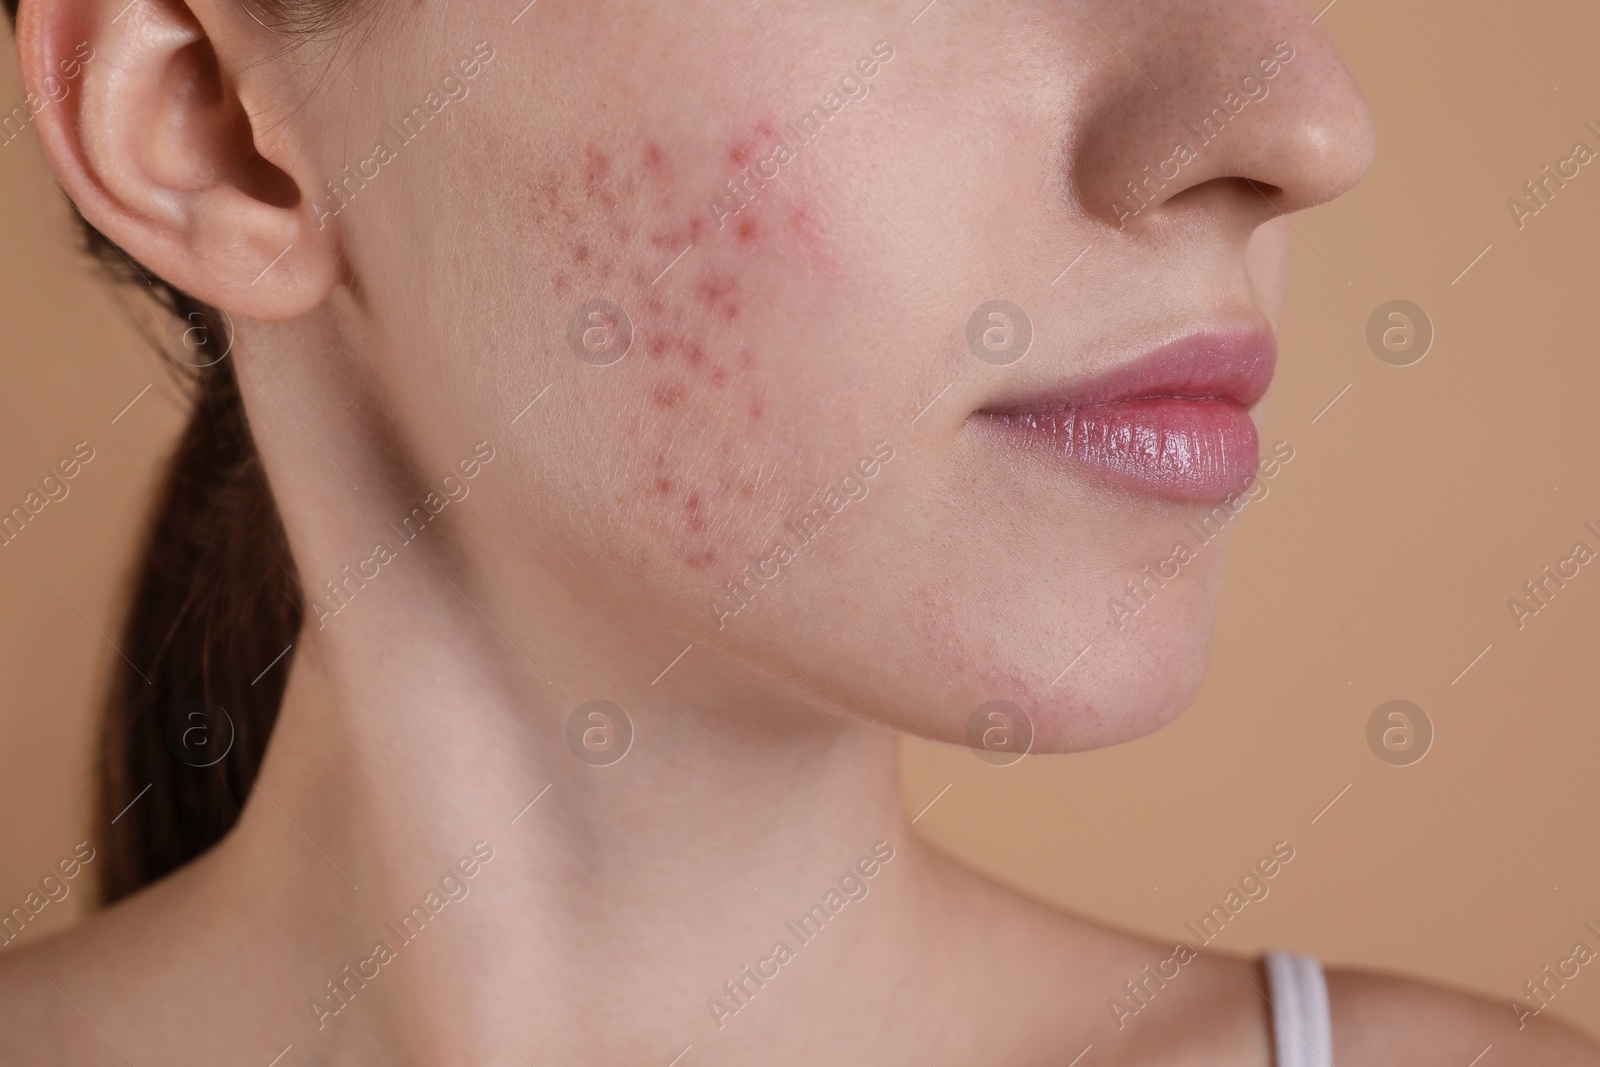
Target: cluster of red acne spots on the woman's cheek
697 402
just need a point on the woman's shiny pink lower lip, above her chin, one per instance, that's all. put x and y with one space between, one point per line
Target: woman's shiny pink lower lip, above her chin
1183 450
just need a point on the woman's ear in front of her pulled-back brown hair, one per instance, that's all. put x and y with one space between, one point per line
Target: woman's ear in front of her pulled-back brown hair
166 156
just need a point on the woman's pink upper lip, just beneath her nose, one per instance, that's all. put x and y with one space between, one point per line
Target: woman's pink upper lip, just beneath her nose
1214 366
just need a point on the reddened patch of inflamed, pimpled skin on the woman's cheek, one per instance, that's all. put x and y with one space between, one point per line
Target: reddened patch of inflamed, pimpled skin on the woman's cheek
711 254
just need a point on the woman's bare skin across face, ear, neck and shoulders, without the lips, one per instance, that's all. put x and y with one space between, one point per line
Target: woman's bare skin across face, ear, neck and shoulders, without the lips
767 362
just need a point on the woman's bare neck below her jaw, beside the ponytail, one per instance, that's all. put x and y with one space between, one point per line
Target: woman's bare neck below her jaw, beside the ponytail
425 815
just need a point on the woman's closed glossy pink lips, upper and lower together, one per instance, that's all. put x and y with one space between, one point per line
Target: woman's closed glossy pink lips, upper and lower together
1175 423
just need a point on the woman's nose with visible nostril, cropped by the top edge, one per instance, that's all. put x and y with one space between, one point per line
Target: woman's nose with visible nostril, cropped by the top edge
1241 108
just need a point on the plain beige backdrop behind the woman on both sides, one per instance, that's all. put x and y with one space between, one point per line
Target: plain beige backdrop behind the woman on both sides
1415 508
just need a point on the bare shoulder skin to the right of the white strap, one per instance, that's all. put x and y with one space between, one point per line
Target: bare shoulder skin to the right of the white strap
1386 1020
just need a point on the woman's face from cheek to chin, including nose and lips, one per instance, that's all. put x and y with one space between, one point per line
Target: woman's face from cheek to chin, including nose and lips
743 257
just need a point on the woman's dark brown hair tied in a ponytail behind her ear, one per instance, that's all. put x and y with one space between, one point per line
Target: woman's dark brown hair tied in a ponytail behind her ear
214 602
